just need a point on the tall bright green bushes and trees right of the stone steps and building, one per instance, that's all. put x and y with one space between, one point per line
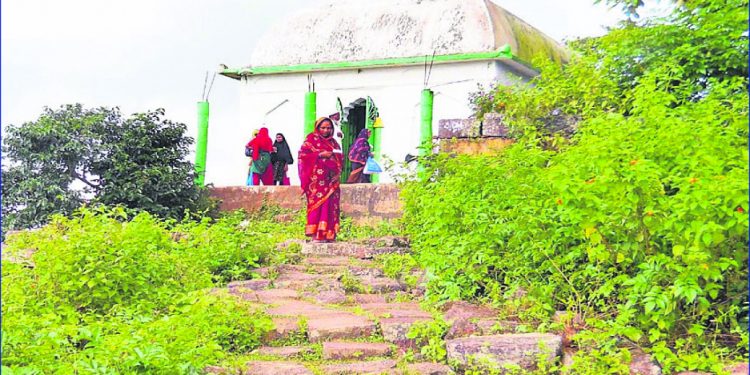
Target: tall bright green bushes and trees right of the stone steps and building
624 198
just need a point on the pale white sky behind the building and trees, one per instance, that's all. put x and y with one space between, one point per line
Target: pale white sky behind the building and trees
147 54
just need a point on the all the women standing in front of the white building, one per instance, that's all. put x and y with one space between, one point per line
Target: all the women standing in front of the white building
320 165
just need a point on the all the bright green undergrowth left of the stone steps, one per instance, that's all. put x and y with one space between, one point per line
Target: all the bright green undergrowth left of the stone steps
112 294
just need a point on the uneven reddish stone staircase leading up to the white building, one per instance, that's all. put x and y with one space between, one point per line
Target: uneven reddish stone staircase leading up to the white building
335 312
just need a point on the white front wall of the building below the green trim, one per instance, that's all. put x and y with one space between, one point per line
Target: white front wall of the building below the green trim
396 92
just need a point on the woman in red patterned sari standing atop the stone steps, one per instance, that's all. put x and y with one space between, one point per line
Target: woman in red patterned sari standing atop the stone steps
319 172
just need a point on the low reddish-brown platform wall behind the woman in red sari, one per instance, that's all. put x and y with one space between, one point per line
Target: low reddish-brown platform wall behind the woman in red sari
359 201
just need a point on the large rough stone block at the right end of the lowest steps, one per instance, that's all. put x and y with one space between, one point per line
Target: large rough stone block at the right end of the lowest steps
518 349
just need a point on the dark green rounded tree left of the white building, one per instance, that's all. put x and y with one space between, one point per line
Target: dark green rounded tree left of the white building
138 162
